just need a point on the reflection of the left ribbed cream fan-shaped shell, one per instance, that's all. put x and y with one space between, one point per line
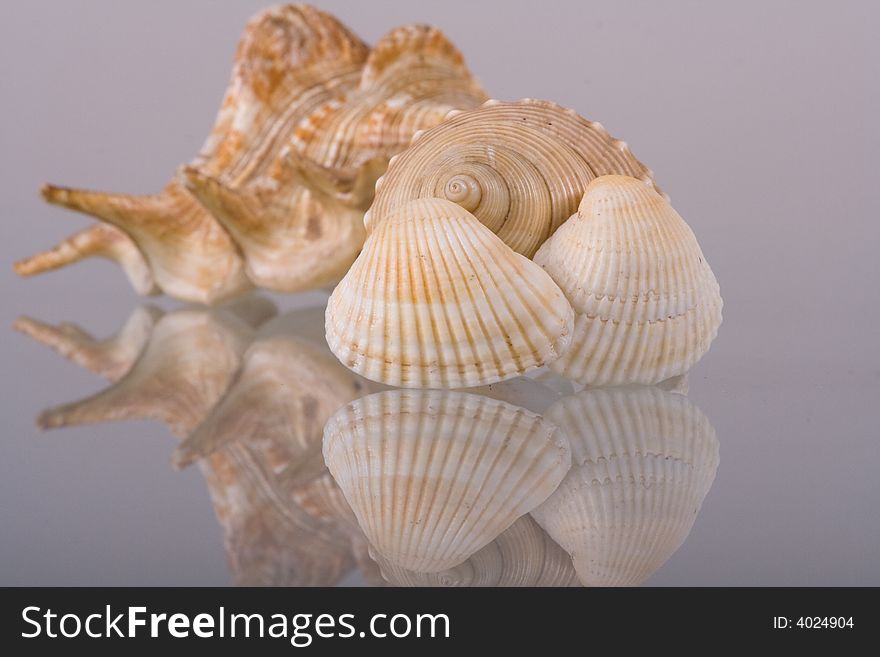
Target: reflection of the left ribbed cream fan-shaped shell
433 476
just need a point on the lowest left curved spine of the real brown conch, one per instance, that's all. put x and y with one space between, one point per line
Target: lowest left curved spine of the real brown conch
98 240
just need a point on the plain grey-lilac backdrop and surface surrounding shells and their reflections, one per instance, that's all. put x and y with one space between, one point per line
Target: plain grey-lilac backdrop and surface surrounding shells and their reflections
758 118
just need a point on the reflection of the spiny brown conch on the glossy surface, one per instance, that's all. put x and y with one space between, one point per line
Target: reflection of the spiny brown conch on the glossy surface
267 391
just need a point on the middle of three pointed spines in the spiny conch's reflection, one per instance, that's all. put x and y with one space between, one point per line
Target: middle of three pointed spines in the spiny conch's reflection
190 359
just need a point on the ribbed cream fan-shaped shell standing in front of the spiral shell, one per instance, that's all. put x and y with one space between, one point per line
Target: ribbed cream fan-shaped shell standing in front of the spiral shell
437 300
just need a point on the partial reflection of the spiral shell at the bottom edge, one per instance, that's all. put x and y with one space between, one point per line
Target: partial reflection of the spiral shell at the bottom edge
522 555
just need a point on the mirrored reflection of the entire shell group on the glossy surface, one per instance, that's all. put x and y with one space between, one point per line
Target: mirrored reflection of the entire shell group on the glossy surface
315 472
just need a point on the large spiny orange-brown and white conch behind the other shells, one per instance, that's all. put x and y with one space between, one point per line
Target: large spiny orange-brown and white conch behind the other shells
276 196
